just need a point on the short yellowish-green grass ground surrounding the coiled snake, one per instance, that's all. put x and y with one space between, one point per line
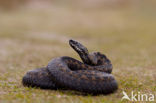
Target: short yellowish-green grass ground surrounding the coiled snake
30 38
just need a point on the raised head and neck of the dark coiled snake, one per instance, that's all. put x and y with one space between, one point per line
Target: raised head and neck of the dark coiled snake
81 50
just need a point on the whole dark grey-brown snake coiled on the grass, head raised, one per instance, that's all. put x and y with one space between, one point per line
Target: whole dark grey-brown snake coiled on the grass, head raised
93 75
